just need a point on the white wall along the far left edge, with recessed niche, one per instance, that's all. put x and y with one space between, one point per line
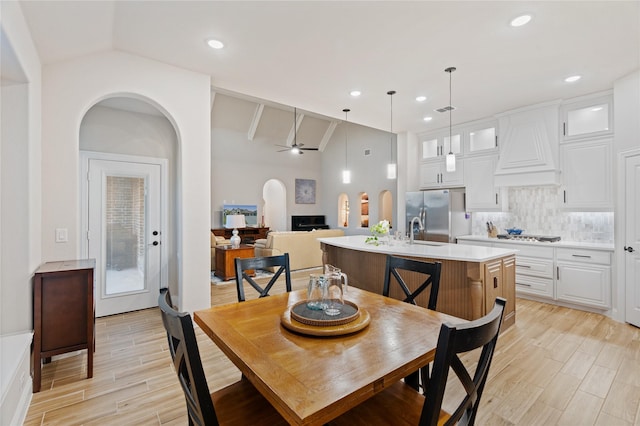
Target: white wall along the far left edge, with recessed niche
20 207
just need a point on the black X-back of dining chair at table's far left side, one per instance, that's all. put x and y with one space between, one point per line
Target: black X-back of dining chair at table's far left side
280 262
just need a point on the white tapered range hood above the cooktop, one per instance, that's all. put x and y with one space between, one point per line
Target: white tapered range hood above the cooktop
529 147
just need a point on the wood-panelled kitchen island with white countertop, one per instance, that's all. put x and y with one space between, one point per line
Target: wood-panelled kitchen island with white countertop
471 276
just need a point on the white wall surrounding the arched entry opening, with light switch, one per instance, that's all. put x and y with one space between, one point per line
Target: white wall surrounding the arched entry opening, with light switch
69 90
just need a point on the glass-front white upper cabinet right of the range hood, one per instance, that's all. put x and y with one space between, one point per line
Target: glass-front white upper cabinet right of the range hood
588 116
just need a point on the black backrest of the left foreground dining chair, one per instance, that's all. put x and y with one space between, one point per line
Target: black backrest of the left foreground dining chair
183 347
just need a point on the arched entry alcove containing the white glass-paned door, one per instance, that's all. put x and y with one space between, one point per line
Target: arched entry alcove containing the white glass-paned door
128 150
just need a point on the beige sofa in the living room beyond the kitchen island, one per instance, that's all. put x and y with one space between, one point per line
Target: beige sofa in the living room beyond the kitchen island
303 247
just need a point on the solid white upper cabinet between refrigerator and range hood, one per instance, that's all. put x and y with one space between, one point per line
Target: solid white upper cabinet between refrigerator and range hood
481 193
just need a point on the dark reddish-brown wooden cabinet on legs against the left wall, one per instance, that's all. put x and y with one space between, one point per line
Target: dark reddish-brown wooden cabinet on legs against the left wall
63 312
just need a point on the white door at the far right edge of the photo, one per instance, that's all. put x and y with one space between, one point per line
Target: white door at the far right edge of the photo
632 239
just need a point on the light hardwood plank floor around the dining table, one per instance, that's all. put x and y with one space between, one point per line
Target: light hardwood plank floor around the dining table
555 366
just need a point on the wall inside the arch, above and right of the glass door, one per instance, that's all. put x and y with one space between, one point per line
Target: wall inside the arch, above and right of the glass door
132 133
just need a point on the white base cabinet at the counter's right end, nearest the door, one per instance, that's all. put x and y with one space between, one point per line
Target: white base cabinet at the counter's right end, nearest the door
584 277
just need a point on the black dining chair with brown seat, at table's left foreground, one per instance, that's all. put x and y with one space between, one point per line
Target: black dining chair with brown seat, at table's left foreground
239 403
